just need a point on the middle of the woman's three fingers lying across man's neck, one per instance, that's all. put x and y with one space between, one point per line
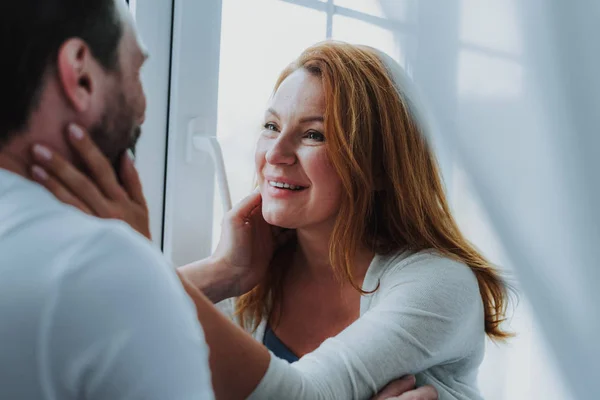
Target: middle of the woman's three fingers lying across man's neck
71 180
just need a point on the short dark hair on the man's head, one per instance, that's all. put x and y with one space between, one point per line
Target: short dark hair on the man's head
31 33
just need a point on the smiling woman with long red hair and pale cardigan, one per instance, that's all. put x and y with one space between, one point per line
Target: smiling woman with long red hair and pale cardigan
378 281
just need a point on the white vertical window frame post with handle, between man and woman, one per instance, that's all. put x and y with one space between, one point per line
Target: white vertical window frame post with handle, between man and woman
189 190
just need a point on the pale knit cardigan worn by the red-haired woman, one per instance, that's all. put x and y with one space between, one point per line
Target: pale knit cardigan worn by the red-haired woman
426 318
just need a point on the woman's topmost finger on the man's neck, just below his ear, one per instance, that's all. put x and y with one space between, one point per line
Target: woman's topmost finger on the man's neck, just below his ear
98 165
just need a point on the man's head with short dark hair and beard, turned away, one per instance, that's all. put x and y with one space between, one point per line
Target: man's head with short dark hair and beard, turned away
69 61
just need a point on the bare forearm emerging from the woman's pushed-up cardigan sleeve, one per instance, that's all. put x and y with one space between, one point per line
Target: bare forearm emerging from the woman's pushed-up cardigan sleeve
237 361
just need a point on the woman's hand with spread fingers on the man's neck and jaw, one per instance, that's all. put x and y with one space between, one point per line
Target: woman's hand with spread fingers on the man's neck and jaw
98 193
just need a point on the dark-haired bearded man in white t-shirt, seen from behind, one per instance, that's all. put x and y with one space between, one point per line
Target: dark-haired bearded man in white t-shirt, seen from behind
88 308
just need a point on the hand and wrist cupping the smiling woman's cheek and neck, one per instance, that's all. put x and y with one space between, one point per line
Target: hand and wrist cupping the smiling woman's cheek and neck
243 255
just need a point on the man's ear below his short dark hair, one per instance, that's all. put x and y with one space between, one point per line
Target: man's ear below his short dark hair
75 73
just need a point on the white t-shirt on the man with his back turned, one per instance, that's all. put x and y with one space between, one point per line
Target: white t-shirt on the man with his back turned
89 309
